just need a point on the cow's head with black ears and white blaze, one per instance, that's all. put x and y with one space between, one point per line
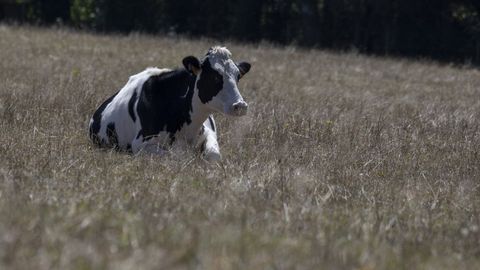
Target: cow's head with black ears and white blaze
217 78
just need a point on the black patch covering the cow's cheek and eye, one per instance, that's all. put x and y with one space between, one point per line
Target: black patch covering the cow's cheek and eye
210 82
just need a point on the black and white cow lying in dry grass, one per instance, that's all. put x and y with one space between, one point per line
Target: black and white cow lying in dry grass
160 106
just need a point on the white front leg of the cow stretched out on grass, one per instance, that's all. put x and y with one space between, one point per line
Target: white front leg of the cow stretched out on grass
208 141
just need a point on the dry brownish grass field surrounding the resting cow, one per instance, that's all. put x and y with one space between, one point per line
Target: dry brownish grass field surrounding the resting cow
343 162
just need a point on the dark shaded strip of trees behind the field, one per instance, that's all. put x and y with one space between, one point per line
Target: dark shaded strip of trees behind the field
446 30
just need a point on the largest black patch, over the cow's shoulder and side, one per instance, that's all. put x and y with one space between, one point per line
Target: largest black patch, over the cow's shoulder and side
165 103
